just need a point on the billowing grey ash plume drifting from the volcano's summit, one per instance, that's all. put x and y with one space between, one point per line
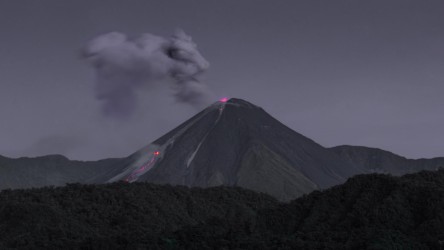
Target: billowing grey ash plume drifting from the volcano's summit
123 65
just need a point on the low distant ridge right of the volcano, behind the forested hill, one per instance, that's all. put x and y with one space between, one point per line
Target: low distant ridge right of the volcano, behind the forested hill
380 161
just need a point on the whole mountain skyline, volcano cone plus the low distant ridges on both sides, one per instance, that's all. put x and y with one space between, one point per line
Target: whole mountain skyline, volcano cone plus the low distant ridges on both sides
233 143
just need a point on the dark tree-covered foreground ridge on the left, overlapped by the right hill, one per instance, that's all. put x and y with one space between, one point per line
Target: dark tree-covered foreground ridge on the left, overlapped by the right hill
117 215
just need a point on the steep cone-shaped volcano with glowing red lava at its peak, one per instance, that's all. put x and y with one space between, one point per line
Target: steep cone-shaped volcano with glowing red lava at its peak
235 143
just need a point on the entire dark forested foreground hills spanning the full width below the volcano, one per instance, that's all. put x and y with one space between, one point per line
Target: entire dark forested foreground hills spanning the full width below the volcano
367 212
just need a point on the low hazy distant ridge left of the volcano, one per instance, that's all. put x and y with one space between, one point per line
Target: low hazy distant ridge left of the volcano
48 170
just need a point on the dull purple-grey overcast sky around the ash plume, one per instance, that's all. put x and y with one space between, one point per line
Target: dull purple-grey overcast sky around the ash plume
355 72
